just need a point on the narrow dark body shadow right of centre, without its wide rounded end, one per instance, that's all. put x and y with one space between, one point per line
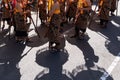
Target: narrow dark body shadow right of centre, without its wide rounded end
88 52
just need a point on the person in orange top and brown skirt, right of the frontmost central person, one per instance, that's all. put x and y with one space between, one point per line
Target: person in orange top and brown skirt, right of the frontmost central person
82 15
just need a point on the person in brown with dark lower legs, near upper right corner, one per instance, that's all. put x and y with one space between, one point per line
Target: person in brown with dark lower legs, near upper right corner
103 14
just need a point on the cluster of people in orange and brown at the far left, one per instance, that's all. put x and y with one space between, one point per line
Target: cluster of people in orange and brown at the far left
16 14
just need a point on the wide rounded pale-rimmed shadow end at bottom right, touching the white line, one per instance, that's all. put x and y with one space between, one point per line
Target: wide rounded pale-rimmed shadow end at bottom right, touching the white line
83 72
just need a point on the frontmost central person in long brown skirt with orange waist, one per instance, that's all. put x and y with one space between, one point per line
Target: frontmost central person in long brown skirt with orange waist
54 26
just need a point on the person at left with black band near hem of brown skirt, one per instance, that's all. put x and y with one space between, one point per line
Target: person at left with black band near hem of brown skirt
22 27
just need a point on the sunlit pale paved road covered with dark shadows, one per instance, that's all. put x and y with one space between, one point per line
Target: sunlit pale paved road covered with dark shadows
97 57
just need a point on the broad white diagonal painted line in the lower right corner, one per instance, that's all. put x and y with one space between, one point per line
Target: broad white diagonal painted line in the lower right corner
111 67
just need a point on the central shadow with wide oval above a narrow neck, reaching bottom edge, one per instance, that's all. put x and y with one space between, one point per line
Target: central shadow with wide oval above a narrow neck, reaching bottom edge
54 62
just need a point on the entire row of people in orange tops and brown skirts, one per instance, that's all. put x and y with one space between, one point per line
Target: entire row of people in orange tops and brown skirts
56 13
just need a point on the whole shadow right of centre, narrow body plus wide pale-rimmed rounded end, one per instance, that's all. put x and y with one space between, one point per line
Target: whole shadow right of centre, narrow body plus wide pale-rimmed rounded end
87 71
